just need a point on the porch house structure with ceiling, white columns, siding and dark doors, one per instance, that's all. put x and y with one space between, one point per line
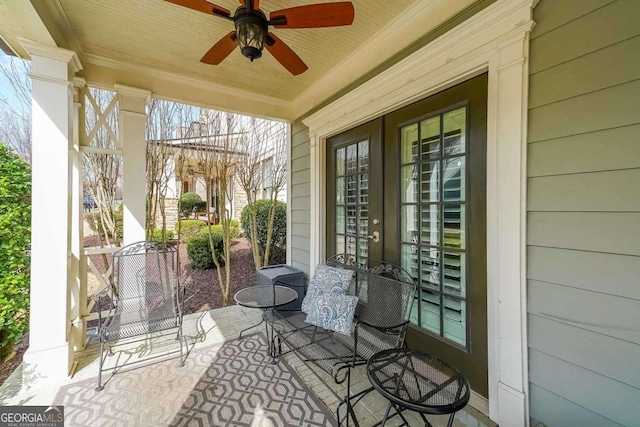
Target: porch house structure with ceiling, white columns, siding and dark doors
490 147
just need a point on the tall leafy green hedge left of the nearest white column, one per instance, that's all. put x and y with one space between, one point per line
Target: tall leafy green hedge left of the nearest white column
15 238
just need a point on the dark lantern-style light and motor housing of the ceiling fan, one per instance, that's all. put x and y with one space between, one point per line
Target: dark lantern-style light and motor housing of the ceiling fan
251 28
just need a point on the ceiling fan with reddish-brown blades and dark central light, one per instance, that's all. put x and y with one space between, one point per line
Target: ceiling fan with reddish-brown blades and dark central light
252 34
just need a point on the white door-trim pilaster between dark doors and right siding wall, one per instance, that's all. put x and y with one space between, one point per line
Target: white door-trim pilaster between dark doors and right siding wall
506 228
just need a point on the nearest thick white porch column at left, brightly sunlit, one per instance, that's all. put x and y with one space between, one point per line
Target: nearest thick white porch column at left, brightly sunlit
50 353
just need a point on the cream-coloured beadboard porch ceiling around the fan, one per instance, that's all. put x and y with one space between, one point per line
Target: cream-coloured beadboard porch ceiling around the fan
156 45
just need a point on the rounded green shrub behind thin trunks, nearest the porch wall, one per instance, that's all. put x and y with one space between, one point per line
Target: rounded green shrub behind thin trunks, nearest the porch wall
279 237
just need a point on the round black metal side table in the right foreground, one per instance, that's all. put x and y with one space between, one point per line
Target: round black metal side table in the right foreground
419 382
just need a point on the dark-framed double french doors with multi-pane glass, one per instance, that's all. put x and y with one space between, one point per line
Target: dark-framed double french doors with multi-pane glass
420 202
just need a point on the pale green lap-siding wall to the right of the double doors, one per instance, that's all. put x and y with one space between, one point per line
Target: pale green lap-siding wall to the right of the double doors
584 213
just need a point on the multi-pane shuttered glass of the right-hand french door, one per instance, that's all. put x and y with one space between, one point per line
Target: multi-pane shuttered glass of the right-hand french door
433 221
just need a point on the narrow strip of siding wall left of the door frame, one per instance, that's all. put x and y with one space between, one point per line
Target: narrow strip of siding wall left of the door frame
300 200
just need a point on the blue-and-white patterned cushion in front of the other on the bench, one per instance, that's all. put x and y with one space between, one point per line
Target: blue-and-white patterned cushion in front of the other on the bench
333 311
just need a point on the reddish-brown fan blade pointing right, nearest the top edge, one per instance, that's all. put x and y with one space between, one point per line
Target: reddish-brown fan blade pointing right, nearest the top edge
315 15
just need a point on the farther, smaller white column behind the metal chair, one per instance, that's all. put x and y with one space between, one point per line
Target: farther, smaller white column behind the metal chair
133 120
